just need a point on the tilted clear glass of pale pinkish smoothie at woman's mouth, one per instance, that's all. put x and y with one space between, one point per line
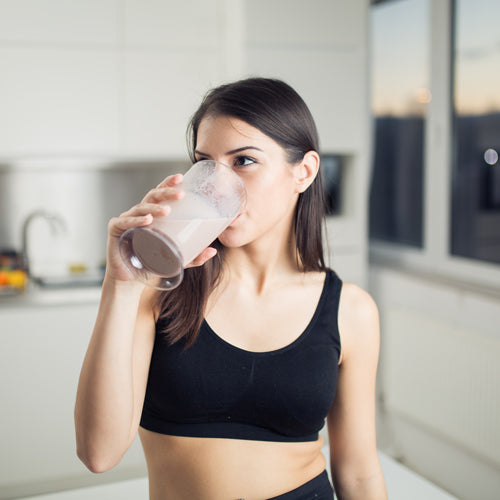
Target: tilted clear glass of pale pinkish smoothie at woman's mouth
157 254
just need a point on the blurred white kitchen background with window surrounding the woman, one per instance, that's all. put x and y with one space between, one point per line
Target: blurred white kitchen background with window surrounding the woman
95 96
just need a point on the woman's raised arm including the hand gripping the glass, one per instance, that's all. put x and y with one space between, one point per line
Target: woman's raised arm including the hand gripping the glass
114 374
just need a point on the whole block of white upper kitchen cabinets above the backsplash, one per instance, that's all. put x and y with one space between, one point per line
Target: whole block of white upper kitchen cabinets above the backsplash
113 78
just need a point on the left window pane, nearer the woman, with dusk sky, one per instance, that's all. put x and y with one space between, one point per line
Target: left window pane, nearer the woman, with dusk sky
399 100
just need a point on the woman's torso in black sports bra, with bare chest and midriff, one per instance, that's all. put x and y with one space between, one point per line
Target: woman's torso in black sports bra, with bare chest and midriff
290 337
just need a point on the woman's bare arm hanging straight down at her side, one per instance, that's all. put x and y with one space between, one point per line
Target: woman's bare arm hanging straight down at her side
356 470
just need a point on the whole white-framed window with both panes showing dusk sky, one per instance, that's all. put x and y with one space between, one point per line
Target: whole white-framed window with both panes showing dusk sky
435 188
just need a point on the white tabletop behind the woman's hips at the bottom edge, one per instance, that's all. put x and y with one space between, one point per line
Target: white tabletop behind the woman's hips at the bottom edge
402 484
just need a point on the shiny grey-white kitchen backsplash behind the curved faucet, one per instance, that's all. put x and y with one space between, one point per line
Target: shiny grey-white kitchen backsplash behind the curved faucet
83 193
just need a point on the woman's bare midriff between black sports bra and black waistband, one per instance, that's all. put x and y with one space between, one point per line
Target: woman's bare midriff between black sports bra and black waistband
190 468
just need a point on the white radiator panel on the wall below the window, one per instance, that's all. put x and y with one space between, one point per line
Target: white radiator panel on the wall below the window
444 378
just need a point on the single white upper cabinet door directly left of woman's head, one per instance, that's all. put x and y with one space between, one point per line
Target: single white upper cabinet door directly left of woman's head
162 90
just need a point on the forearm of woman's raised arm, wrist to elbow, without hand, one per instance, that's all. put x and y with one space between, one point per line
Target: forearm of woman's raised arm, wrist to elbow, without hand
113 377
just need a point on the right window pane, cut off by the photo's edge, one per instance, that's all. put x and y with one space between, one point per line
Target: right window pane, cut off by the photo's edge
475 228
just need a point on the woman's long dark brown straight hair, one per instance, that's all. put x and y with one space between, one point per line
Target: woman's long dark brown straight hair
278 111
